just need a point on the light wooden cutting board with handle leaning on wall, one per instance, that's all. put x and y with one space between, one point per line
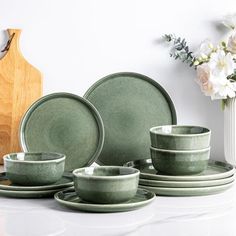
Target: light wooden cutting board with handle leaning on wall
20 86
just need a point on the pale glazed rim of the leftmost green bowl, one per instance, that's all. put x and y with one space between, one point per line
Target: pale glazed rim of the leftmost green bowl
61 157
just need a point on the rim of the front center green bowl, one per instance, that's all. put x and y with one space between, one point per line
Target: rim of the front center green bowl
108 177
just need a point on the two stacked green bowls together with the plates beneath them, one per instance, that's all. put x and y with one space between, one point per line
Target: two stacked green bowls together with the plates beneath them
180 165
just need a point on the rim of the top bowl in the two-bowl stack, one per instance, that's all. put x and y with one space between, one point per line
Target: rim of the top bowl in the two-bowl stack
180 135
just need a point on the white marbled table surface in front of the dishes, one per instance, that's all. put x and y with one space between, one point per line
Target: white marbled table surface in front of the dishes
213 215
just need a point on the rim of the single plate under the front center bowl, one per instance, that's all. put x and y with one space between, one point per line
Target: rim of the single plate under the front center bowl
104 207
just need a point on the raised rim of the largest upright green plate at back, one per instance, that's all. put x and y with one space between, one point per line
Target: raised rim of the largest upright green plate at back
137 76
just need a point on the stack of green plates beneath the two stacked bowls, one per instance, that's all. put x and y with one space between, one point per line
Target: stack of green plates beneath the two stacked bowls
216 178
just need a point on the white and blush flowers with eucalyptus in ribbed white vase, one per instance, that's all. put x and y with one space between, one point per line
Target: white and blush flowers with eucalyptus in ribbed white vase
216 75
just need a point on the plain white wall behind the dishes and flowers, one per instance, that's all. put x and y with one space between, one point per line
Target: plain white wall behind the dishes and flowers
76 42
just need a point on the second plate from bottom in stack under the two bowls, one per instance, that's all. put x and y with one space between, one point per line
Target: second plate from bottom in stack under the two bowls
186 184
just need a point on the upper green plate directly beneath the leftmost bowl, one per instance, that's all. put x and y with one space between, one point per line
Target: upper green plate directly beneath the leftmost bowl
6 184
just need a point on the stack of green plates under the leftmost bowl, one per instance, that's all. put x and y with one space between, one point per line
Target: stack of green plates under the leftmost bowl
8 189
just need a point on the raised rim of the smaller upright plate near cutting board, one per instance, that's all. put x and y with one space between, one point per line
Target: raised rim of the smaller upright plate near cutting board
50 96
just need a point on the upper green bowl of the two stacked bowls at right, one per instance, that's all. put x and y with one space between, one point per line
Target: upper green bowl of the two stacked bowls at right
180 137
